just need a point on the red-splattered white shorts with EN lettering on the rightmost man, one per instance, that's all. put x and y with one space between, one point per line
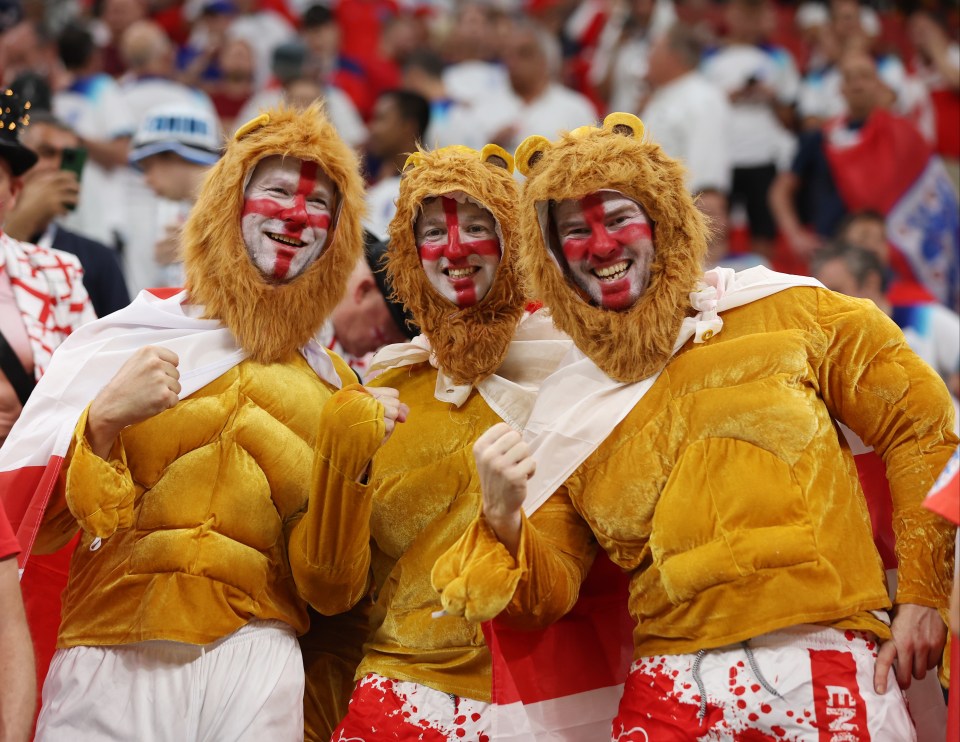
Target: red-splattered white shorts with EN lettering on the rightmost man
802 684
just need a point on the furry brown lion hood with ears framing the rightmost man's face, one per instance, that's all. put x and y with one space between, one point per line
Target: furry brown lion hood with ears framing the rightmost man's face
633 344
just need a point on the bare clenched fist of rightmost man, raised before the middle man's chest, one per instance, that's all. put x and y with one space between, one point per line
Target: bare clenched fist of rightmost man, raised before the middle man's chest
504 465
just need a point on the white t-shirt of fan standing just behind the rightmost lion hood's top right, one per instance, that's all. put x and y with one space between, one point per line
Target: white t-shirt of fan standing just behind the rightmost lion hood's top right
690 119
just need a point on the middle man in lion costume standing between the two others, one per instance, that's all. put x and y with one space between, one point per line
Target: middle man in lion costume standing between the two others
452 262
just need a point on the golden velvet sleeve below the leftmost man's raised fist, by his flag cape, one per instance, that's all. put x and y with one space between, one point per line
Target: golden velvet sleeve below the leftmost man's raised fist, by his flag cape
95 493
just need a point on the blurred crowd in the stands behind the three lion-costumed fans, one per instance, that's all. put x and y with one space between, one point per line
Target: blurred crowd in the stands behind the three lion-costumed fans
758 98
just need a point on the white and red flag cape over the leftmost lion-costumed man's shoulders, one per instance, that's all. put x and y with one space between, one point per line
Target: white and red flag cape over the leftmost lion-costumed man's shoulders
31 458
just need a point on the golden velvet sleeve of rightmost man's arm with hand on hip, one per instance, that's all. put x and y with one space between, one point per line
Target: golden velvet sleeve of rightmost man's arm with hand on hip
872 382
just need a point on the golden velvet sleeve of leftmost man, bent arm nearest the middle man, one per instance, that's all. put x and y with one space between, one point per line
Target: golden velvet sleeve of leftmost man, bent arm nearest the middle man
329 546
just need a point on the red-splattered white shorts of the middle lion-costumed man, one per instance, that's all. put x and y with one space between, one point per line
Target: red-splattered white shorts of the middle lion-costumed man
383 709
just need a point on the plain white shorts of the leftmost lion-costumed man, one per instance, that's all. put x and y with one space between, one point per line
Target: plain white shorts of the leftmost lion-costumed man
246 686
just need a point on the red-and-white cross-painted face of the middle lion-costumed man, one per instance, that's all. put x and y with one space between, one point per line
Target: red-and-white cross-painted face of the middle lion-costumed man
459 248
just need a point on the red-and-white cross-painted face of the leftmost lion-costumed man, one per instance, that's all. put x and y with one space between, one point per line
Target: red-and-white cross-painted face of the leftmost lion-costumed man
287 209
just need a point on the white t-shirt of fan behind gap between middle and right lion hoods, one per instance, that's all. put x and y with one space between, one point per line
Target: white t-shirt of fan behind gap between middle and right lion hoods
557 109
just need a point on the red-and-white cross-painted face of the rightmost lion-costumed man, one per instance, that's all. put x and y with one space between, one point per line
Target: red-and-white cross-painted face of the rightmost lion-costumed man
607 243
